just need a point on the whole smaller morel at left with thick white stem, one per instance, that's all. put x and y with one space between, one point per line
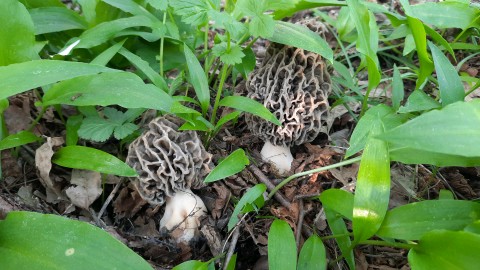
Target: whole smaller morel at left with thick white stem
169 162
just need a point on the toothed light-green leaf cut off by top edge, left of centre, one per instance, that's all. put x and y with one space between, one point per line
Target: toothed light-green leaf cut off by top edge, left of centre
194 12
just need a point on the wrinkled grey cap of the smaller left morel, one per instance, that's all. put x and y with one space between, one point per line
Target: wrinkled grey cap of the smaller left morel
167 160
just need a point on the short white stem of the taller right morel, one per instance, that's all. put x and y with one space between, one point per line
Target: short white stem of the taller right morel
279 156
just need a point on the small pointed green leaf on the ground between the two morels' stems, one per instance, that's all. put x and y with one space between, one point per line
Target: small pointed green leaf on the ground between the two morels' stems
231 165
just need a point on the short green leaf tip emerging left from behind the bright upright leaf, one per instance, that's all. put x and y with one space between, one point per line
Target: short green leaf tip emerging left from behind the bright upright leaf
339 201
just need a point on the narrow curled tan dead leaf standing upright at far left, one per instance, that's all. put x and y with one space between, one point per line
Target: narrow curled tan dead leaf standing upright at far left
43 162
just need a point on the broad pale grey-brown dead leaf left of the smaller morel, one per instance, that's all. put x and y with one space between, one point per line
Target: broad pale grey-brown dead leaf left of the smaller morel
87 189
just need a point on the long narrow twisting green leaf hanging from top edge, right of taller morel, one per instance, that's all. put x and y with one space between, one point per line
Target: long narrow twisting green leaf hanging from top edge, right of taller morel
367 42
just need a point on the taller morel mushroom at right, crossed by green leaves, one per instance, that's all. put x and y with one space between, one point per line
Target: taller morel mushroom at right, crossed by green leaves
294 85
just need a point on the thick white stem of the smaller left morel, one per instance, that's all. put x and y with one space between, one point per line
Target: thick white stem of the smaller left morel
182 215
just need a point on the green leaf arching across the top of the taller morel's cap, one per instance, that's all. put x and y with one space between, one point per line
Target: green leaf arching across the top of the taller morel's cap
300 36
